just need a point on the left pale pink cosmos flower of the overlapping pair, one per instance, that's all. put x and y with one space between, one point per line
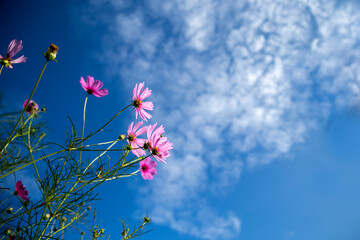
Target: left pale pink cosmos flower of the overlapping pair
135 142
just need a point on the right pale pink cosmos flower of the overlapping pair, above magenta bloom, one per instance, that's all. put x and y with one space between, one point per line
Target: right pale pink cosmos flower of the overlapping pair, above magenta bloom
158 145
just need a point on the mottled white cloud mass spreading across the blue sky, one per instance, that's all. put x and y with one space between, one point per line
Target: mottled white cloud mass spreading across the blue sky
236 83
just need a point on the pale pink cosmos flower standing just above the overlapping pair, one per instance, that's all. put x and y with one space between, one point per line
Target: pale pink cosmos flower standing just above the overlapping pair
138 103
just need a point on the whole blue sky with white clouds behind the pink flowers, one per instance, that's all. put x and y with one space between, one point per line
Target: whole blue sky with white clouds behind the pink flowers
260 98
